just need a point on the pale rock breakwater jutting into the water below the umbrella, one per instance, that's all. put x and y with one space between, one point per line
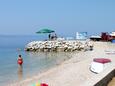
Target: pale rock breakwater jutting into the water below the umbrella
65 45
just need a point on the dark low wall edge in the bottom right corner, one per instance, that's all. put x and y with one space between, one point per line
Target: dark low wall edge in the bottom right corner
106 79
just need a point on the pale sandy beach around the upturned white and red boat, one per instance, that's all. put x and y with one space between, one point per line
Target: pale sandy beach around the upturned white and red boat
75 71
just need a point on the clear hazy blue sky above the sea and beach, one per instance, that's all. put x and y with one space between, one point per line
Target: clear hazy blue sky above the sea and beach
66 17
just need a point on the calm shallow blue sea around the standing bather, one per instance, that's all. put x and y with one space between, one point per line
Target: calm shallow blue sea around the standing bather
34 62
